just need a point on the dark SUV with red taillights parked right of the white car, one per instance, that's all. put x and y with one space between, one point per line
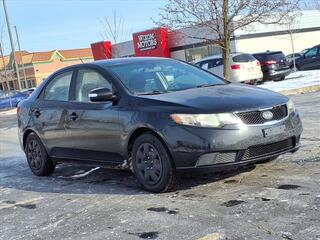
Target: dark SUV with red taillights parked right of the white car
274 65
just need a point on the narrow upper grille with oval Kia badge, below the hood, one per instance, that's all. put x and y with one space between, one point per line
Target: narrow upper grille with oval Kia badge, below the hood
255 117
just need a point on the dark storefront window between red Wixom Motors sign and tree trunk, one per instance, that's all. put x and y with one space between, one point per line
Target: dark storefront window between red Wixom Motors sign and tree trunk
197 53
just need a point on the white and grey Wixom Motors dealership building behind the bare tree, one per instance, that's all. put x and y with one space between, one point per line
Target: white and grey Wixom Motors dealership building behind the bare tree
303 33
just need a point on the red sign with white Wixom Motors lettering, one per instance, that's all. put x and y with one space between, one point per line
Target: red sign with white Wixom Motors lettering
151 43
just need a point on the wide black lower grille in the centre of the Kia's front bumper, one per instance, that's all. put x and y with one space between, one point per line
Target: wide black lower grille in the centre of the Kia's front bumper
268 149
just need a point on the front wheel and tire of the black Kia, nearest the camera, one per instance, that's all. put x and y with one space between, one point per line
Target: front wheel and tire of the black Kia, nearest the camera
152 164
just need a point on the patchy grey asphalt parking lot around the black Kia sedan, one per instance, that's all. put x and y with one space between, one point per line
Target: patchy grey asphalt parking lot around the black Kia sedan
274 200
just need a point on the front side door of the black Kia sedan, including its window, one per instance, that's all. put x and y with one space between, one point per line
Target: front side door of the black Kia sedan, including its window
93 129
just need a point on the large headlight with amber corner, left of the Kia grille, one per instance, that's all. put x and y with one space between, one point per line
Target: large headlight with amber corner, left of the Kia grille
206 120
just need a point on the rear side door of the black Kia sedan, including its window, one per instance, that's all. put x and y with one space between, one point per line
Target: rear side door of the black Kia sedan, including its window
49 112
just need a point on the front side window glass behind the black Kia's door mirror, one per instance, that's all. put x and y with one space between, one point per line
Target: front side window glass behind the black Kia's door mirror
88 80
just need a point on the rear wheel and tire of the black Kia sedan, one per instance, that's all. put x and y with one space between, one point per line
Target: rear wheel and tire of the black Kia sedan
37 156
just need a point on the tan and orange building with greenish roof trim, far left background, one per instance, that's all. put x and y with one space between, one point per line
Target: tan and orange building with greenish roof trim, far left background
36 66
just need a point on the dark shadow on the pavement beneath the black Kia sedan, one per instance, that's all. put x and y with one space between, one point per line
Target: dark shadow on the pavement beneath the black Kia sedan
79 179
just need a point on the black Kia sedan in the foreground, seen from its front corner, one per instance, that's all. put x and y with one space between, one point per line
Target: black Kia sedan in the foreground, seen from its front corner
156 116
